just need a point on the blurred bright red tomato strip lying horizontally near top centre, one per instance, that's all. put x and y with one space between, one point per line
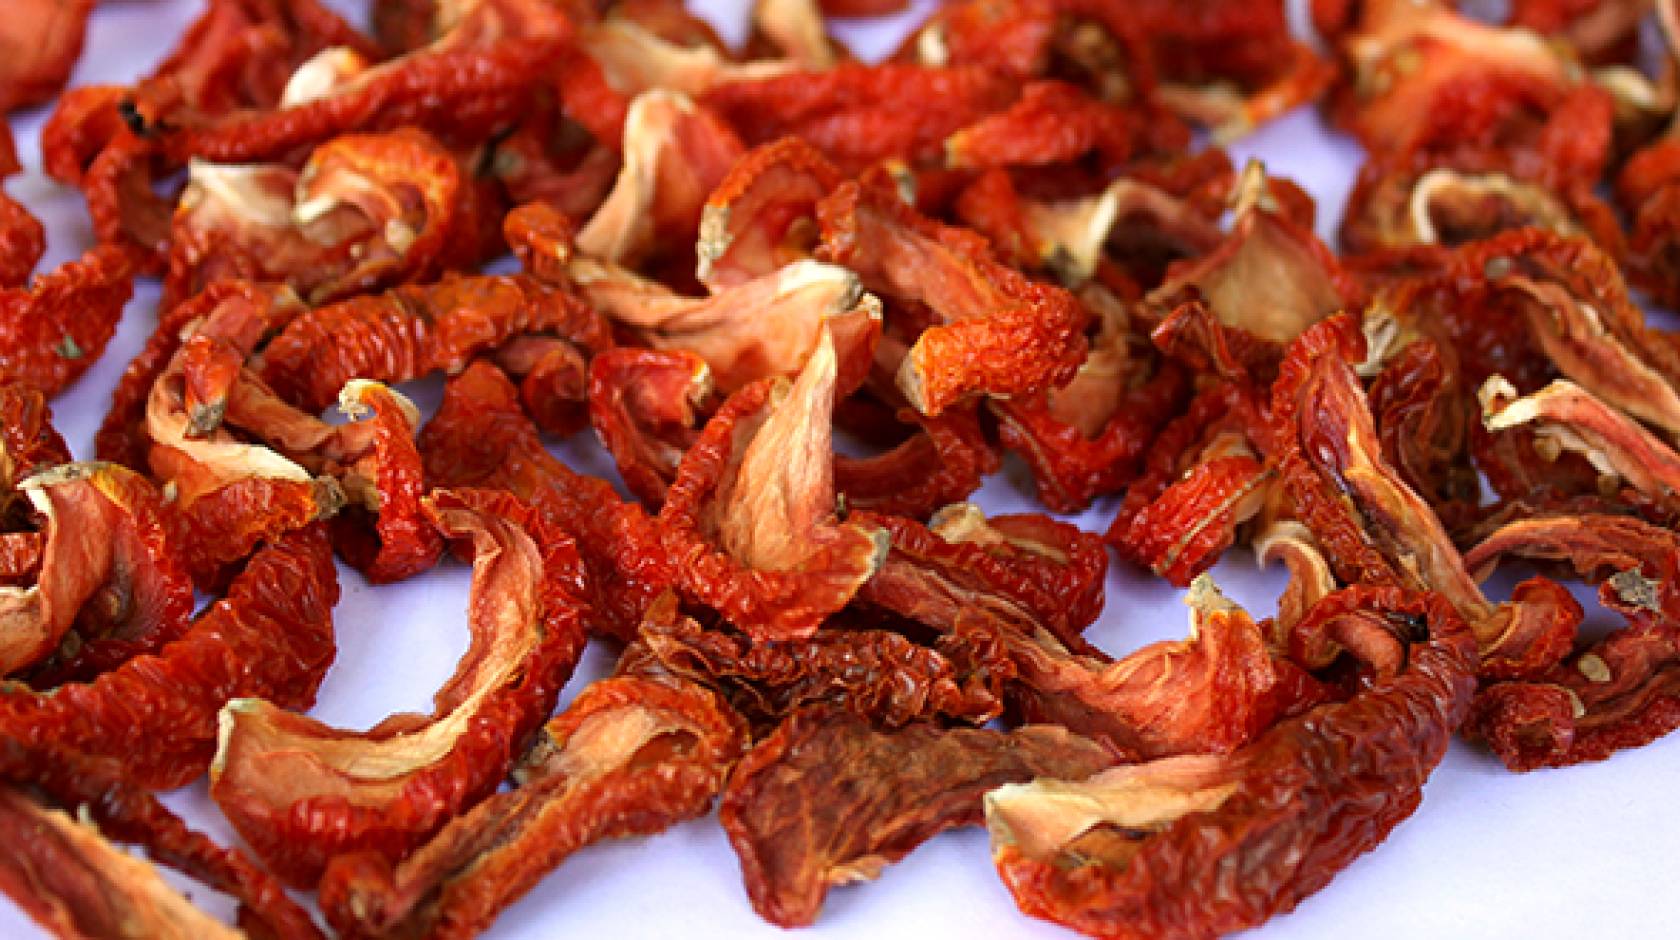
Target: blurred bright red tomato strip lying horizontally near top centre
859 115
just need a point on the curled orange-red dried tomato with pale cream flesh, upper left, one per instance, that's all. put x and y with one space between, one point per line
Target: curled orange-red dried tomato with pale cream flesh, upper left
365 212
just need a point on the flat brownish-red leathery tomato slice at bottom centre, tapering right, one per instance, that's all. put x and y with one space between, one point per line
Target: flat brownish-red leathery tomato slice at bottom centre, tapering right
827 800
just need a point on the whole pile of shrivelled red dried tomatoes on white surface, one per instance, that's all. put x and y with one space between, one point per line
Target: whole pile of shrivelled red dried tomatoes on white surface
997 243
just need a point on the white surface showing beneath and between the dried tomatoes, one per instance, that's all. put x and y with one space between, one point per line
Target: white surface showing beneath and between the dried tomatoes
1585 852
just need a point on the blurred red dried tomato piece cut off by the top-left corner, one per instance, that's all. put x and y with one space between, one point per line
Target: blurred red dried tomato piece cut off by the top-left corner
43 39
